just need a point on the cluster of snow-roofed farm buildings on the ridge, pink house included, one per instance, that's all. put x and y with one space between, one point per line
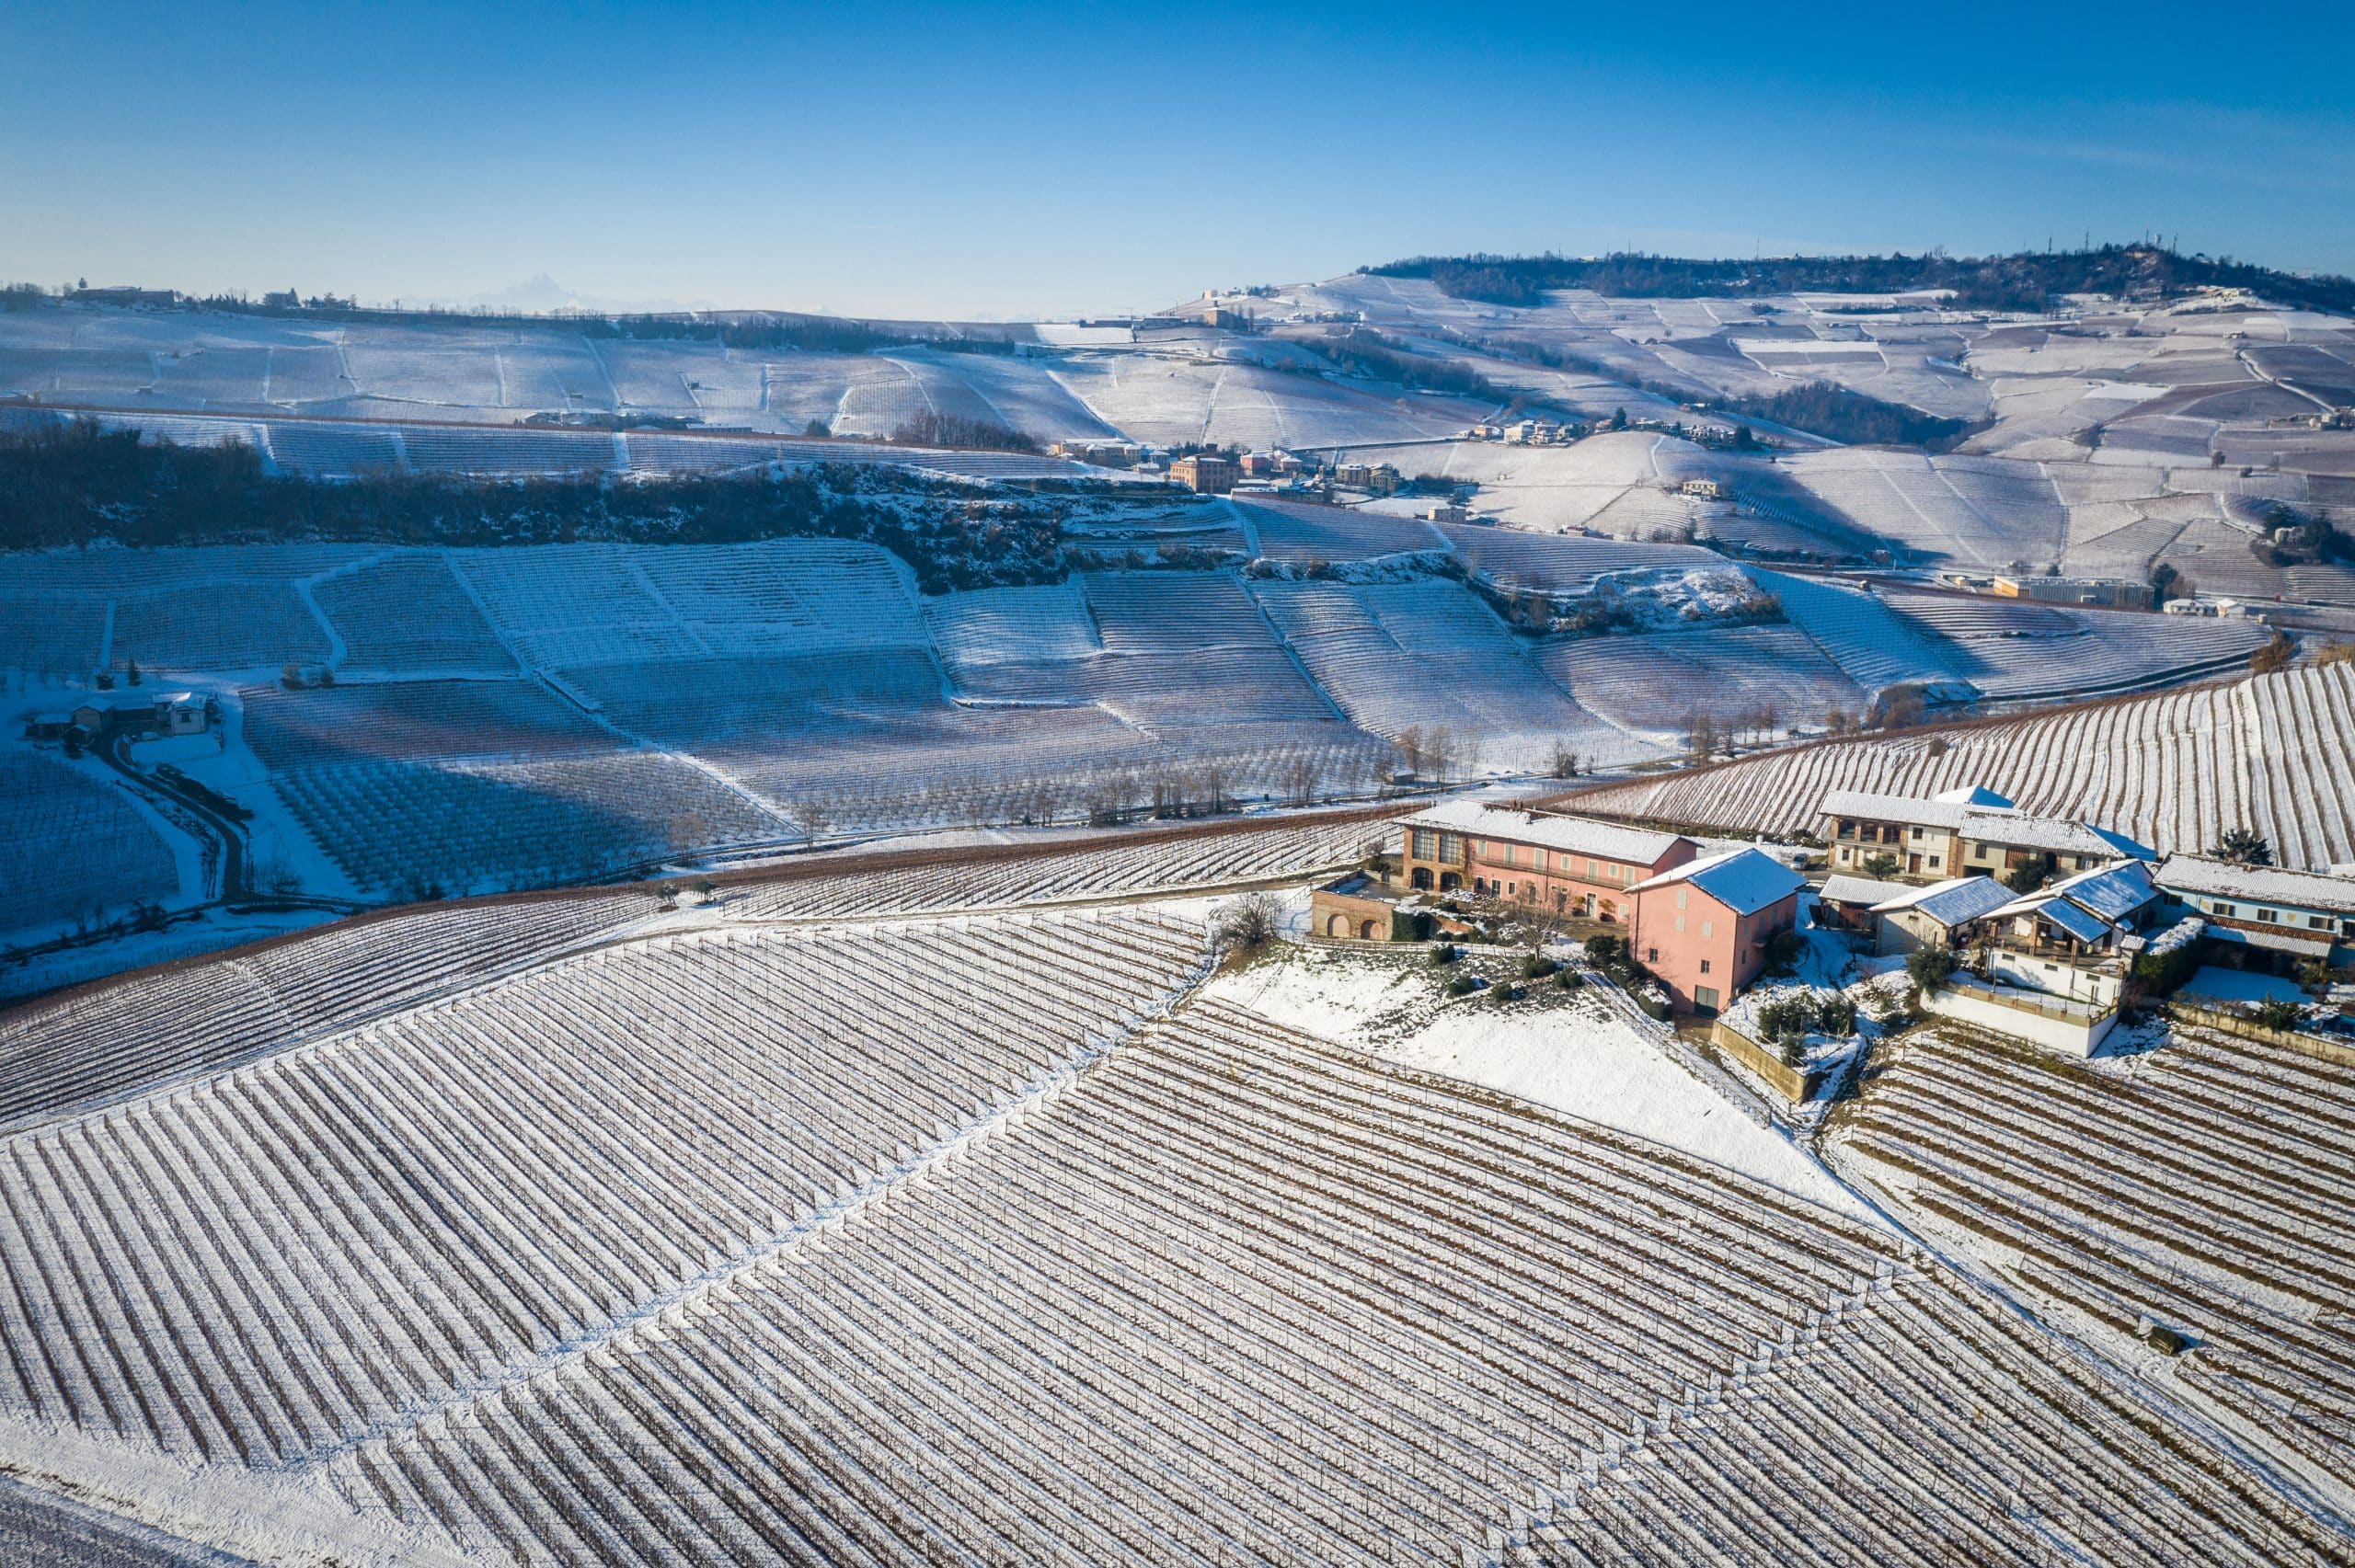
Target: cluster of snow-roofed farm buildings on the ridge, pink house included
2045 915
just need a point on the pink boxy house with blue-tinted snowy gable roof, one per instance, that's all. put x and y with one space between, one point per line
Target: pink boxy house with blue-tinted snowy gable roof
1704 926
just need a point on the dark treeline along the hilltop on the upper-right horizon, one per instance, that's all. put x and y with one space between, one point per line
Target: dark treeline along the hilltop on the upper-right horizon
2024 281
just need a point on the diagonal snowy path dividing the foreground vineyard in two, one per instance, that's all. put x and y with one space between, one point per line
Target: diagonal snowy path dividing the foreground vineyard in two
851 1202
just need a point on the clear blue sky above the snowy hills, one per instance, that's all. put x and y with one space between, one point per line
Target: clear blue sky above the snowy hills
1047 161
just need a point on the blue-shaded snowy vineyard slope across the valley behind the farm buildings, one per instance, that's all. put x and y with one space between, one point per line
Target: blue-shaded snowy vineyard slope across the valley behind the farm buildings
552 715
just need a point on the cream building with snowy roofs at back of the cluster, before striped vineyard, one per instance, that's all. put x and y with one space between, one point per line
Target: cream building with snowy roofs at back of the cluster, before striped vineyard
1961 832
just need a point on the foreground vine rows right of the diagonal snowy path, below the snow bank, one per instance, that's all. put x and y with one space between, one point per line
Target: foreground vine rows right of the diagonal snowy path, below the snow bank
1238 1296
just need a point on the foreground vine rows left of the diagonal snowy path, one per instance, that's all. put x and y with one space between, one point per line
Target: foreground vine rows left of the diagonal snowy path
359 1237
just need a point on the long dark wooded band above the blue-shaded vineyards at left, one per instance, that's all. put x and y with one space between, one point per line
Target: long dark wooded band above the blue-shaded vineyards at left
79 484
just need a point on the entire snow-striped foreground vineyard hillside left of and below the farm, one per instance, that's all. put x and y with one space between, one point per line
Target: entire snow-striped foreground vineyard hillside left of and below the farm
979 1237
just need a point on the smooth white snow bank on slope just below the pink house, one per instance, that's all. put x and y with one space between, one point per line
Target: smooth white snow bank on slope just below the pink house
1563 1054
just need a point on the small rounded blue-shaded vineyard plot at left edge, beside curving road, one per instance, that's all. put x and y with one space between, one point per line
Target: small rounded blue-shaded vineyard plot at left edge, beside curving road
72 846
